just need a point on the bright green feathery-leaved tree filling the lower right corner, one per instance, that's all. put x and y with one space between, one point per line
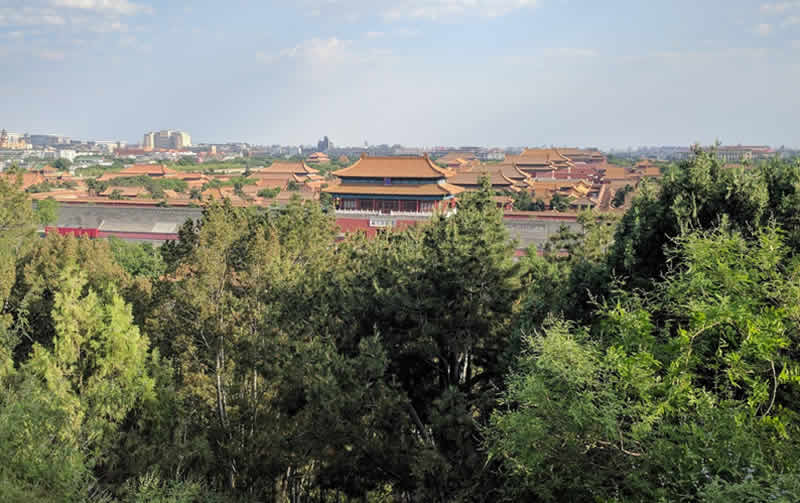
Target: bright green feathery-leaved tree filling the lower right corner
686 394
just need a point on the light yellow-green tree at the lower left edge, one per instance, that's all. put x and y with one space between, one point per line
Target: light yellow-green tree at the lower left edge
76 394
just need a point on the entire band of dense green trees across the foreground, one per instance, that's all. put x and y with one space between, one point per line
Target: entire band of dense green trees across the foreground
649 357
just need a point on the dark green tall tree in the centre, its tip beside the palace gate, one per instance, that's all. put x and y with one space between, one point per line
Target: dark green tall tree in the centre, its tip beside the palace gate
442 299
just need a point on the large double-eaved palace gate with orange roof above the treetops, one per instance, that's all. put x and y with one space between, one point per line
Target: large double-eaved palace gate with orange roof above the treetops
380 192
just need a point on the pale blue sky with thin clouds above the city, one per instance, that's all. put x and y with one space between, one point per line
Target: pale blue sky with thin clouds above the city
602 73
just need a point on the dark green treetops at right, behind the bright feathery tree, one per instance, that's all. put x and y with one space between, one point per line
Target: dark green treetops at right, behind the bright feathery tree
698 194
